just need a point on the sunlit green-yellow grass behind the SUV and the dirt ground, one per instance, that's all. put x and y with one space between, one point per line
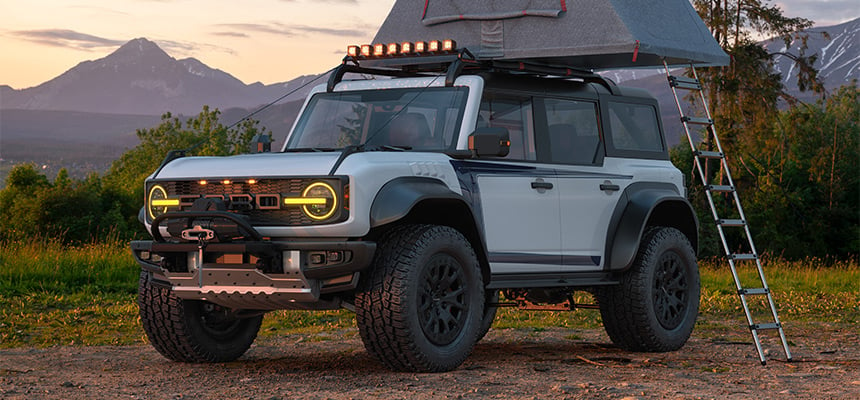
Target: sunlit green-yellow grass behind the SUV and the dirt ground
54 295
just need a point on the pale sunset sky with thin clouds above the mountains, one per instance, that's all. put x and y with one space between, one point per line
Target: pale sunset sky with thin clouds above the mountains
264 41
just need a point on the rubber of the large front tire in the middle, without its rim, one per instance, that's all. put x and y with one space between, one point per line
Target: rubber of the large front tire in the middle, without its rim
385 303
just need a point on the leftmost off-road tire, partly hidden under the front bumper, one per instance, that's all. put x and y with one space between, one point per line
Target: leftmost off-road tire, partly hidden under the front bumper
190 330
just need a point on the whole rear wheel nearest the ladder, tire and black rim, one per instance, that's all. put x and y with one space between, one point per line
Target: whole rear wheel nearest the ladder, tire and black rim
656 305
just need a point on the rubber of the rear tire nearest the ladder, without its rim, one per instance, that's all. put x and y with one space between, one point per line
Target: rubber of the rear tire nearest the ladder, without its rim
627 309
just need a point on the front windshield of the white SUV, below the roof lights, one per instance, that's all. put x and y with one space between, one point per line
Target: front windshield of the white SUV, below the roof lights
413 118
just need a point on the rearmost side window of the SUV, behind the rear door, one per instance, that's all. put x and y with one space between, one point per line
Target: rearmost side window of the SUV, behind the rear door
634 127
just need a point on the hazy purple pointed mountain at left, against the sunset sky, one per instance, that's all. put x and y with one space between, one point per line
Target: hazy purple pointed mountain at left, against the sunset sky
140 78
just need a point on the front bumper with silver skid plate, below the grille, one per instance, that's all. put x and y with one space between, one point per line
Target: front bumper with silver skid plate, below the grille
258 274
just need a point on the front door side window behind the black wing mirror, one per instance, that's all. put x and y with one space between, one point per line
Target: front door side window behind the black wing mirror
512 113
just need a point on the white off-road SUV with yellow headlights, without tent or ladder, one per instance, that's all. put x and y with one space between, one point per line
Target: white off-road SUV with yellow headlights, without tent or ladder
413 196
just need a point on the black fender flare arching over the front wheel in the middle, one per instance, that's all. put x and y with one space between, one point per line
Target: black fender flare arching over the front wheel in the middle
421 200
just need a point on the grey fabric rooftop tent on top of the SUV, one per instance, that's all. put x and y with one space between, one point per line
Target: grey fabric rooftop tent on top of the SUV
591 34
